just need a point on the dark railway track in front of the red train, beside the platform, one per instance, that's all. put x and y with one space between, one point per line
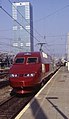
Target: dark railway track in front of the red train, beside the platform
10 108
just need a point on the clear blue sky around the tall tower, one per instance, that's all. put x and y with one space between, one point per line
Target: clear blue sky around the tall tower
50 22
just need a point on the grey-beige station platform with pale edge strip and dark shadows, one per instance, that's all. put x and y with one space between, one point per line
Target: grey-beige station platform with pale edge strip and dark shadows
52 101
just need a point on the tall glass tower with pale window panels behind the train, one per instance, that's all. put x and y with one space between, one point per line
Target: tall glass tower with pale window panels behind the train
22 27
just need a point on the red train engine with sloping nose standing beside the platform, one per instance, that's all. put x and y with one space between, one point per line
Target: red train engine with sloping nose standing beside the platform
27 71
